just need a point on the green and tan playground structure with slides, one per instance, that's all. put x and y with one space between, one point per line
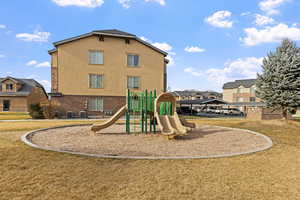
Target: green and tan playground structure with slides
144 111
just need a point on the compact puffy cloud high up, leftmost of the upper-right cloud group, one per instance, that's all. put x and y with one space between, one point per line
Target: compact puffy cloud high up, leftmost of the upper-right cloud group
220 19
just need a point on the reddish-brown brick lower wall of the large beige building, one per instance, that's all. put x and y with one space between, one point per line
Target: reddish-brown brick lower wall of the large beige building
76 103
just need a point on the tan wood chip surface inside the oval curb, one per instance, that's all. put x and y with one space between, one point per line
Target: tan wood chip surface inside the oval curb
203 142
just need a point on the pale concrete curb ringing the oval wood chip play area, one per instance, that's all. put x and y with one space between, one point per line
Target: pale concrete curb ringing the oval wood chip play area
26 138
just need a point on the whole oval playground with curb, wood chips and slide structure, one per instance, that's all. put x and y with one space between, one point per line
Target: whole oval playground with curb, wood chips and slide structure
152 130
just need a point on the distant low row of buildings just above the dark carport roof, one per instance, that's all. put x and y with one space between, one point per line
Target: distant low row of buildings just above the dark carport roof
196 95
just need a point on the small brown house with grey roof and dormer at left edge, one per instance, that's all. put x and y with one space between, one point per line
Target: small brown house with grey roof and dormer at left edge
16 95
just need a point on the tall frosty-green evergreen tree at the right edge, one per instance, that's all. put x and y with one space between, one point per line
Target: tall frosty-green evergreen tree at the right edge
279 84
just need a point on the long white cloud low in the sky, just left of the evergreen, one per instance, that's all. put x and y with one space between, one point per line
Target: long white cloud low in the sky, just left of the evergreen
241 68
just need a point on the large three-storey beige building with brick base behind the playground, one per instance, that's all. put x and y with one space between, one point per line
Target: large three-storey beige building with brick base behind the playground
93 71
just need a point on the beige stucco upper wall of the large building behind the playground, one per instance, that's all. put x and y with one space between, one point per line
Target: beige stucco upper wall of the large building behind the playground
74 67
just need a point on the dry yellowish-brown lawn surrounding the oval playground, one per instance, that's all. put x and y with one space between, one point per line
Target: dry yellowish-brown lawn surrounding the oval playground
27 173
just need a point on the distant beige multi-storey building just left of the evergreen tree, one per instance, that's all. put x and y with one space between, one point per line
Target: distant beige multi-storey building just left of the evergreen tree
240 91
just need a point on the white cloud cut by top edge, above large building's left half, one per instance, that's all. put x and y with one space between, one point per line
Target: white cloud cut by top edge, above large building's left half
79 3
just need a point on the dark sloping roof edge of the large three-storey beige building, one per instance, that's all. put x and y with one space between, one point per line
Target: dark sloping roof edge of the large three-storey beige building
106 34
